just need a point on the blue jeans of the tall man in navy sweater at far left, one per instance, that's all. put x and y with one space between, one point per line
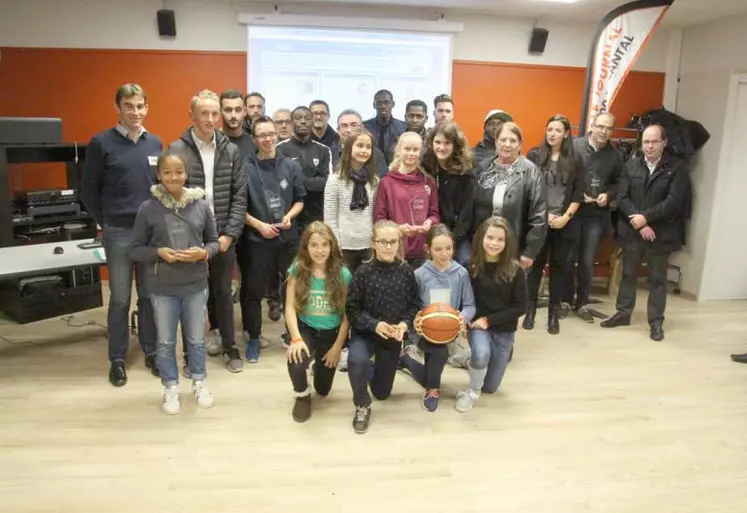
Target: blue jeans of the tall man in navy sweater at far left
117 247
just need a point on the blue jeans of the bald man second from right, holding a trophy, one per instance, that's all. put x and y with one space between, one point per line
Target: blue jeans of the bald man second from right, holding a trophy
590 233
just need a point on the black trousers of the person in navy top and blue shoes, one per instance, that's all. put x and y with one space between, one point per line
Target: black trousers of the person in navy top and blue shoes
258 260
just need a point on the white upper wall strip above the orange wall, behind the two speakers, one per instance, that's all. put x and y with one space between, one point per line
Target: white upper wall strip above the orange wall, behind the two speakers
212 25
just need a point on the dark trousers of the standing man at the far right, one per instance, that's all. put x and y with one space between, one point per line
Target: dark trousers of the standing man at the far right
657 273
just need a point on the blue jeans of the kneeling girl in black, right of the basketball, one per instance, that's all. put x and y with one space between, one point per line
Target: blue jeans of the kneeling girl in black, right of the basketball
491 350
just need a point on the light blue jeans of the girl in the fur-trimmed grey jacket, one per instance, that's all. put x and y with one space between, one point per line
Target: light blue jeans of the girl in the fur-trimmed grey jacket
190 310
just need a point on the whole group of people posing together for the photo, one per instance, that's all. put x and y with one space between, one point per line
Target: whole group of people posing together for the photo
351 232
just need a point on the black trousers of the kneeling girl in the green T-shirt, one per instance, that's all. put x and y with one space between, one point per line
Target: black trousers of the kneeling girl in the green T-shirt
319 342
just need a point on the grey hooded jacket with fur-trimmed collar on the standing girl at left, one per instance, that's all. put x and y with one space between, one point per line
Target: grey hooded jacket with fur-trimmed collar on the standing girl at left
165 222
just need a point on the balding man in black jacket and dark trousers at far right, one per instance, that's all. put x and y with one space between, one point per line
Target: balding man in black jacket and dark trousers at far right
652 198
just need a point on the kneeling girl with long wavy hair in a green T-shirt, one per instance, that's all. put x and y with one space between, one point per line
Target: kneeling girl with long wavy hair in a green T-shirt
315 314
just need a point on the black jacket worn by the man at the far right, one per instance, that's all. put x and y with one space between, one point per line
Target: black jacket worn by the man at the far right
660 196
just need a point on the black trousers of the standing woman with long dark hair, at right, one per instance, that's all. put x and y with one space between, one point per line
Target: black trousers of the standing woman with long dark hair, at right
556 249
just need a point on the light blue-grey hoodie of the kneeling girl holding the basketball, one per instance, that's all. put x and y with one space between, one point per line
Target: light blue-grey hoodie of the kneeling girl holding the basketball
452 286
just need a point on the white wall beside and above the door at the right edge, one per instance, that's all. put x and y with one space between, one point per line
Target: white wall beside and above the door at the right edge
711 53
